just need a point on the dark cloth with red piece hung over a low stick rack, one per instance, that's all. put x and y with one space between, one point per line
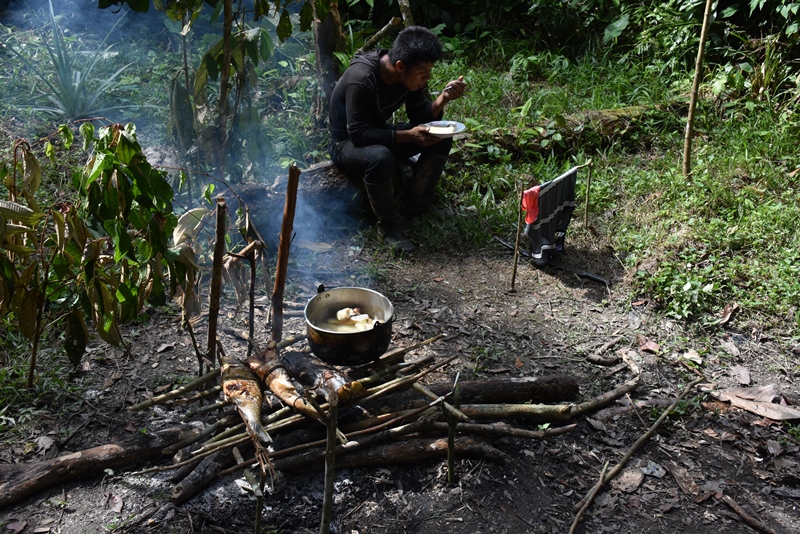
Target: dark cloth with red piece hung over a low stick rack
549 207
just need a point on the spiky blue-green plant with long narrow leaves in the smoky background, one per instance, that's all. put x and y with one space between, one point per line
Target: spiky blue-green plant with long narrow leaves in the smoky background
68 86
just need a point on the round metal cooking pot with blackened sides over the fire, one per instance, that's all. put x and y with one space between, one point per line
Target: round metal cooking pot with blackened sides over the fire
348 348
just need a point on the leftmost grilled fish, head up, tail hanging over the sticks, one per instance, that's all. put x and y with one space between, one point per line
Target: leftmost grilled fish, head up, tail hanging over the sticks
241 388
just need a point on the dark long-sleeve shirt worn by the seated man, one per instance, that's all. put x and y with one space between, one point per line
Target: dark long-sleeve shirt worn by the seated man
362 104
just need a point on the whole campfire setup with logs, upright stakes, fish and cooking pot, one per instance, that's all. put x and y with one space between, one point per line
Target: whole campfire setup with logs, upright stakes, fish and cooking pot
350 404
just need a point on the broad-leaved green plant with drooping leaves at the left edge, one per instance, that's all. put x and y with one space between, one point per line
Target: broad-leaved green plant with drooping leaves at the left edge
103 258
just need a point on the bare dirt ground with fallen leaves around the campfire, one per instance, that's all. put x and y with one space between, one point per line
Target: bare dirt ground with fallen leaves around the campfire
676 482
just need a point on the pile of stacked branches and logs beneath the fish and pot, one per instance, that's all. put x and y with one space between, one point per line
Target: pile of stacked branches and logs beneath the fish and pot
386 415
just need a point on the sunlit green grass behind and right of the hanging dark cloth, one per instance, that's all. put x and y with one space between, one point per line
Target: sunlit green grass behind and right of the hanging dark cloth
725 234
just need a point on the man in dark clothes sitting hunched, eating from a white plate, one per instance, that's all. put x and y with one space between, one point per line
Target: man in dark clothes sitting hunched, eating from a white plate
367 148
